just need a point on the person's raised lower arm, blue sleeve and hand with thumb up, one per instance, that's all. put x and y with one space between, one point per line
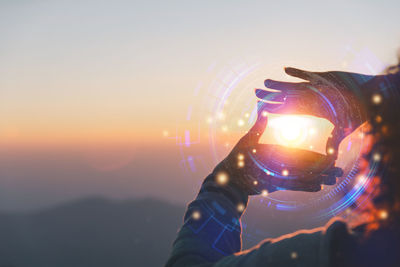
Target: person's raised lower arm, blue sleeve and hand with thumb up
211 233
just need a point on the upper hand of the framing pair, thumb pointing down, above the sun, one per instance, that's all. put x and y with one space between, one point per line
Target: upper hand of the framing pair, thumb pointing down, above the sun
345 99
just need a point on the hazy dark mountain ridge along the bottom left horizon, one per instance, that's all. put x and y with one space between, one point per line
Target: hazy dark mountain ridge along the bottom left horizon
91 232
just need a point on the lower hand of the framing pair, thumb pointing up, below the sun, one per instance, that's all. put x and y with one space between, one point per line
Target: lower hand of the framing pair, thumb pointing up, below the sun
258 168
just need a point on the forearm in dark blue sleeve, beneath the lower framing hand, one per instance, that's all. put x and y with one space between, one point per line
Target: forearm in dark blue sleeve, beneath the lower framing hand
212 227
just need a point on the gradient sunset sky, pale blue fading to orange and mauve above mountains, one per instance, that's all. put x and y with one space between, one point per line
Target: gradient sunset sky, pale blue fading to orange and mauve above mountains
87 88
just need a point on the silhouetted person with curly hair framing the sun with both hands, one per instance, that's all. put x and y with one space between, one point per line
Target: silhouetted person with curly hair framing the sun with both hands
211 233
